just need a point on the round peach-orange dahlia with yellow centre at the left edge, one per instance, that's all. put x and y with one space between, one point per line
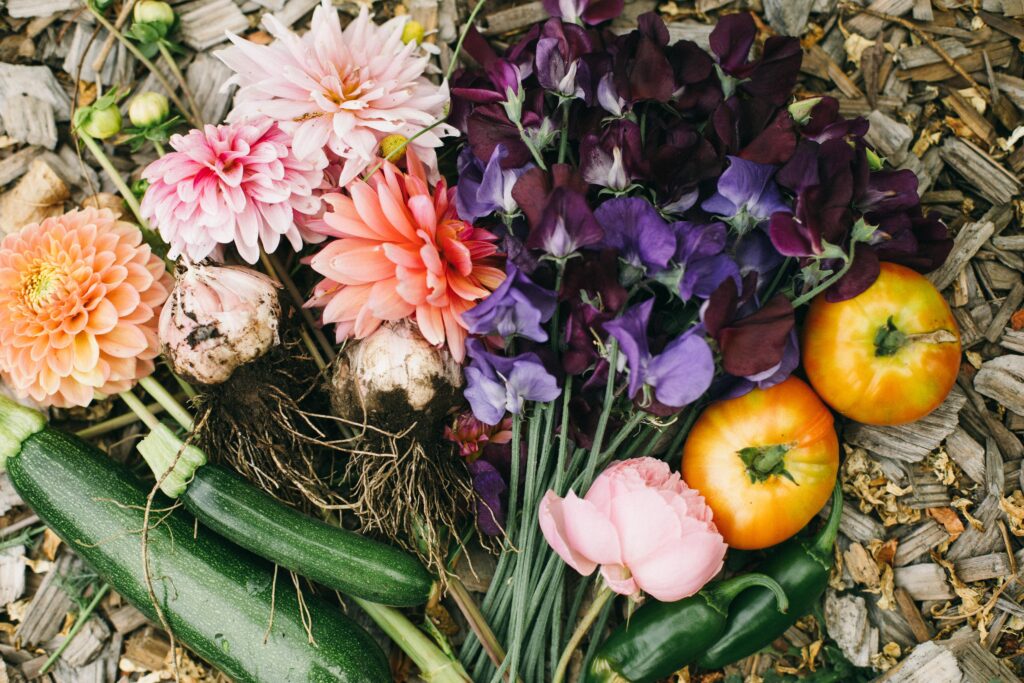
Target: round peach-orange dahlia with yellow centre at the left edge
79 300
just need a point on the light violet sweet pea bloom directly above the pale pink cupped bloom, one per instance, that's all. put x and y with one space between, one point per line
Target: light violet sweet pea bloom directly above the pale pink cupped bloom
679 375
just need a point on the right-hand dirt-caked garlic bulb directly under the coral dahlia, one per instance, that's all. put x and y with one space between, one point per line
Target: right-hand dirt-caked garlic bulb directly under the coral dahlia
395 376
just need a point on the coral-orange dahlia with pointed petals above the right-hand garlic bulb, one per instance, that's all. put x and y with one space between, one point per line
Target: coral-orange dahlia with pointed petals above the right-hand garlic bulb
402 252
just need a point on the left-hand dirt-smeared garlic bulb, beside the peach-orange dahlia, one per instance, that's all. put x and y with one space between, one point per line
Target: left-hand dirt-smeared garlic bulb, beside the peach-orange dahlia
219 319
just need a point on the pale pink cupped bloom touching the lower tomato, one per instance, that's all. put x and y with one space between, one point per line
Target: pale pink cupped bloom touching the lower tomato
648 530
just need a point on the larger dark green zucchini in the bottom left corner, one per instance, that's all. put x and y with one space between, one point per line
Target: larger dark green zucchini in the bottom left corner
218 599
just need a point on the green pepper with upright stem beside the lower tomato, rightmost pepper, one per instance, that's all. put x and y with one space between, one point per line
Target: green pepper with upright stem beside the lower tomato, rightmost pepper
801 568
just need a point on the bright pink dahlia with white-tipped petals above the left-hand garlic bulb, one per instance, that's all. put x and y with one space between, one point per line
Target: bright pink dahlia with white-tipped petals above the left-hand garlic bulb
237 184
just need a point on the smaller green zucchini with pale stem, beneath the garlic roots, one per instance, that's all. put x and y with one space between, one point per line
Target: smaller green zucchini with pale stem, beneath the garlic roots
239 511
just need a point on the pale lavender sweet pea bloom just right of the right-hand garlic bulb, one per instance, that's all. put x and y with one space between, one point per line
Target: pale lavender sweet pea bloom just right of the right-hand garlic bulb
496 385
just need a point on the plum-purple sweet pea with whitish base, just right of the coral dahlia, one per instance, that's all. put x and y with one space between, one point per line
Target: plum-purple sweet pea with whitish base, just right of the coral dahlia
567 226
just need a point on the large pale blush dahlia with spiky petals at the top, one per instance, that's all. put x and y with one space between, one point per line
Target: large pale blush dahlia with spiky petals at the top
342 90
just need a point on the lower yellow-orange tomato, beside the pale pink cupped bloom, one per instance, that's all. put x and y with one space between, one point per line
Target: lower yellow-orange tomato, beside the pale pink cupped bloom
765 462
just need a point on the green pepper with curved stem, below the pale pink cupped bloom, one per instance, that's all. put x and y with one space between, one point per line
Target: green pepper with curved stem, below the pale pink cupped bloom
663 637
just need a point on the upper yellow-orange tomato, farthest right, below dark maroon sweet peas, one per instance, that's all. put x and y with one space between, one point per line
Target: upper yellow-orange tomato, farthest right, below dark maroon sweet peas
887 357
